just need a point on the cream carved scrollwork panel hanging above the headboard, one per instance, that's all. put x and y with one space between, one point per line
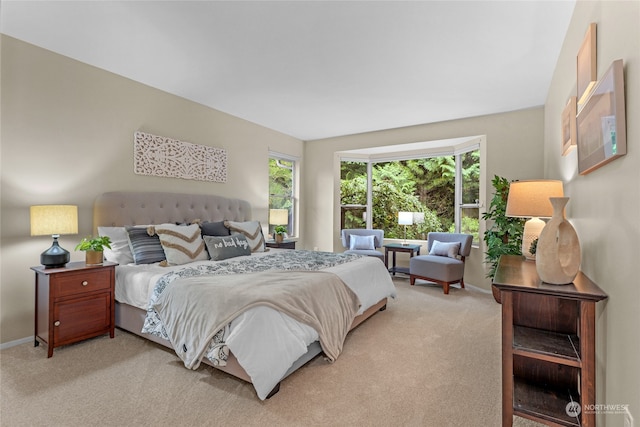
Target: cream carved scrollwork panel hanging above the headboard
160 156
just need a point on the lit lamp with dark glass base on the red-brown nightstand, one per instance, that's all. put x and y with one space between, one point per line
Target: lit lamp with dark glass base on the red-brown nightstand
54 220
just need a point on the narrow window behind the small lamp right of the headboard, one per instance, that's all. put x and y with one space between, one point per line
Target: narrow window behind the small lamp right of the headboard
282 194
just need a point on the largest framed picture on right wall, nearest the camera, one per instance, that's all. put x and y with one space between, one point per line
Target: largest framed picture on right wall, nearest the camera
602 135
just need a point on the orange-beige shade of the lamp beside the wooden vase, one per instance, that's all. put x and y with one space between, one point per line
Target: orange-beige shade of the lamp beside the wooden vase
530 199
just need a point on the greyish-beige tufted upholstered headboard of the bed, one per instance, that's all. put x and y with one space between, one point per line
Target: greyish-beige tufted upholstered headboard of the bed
117 209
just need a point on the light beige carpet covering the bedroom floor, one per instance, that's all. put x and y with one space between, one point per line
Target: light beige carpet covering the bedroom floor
428 360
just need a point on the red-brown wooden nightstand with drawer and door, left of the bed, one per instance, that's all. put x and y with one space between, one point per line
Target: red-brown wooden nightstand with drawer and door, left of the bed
74 303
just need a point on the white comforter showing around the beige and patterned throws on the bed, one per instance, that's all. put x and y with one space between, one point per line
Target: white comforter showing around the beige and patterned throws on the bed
265 341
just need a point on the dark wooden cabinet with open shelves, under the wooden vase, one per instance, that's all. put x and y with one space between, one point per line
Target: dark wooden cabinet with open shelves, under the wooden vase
548 346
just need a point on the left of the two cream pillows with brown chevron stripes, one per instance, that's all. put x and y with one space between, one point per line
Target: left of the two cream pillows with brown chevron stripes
181 243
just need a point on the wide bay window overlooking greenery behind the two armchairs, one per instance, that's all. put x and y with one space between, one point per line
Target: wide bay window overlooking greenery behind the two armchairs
443 192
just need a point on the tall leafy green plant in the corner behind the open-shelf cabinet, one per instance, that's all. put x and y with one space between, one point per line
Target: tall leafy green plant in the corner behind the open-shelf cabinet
504 236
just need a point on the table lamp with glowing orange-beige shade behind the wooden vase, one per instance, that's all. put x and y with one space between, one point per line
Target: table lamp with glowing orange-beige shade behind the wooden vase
530 199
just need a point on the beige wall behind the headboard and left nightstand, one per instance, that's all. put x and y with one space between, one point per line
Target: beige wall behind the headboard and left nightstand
67 136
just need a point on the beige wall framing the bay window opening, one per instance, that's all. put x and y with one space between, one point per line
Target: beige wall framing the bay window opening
513 135
